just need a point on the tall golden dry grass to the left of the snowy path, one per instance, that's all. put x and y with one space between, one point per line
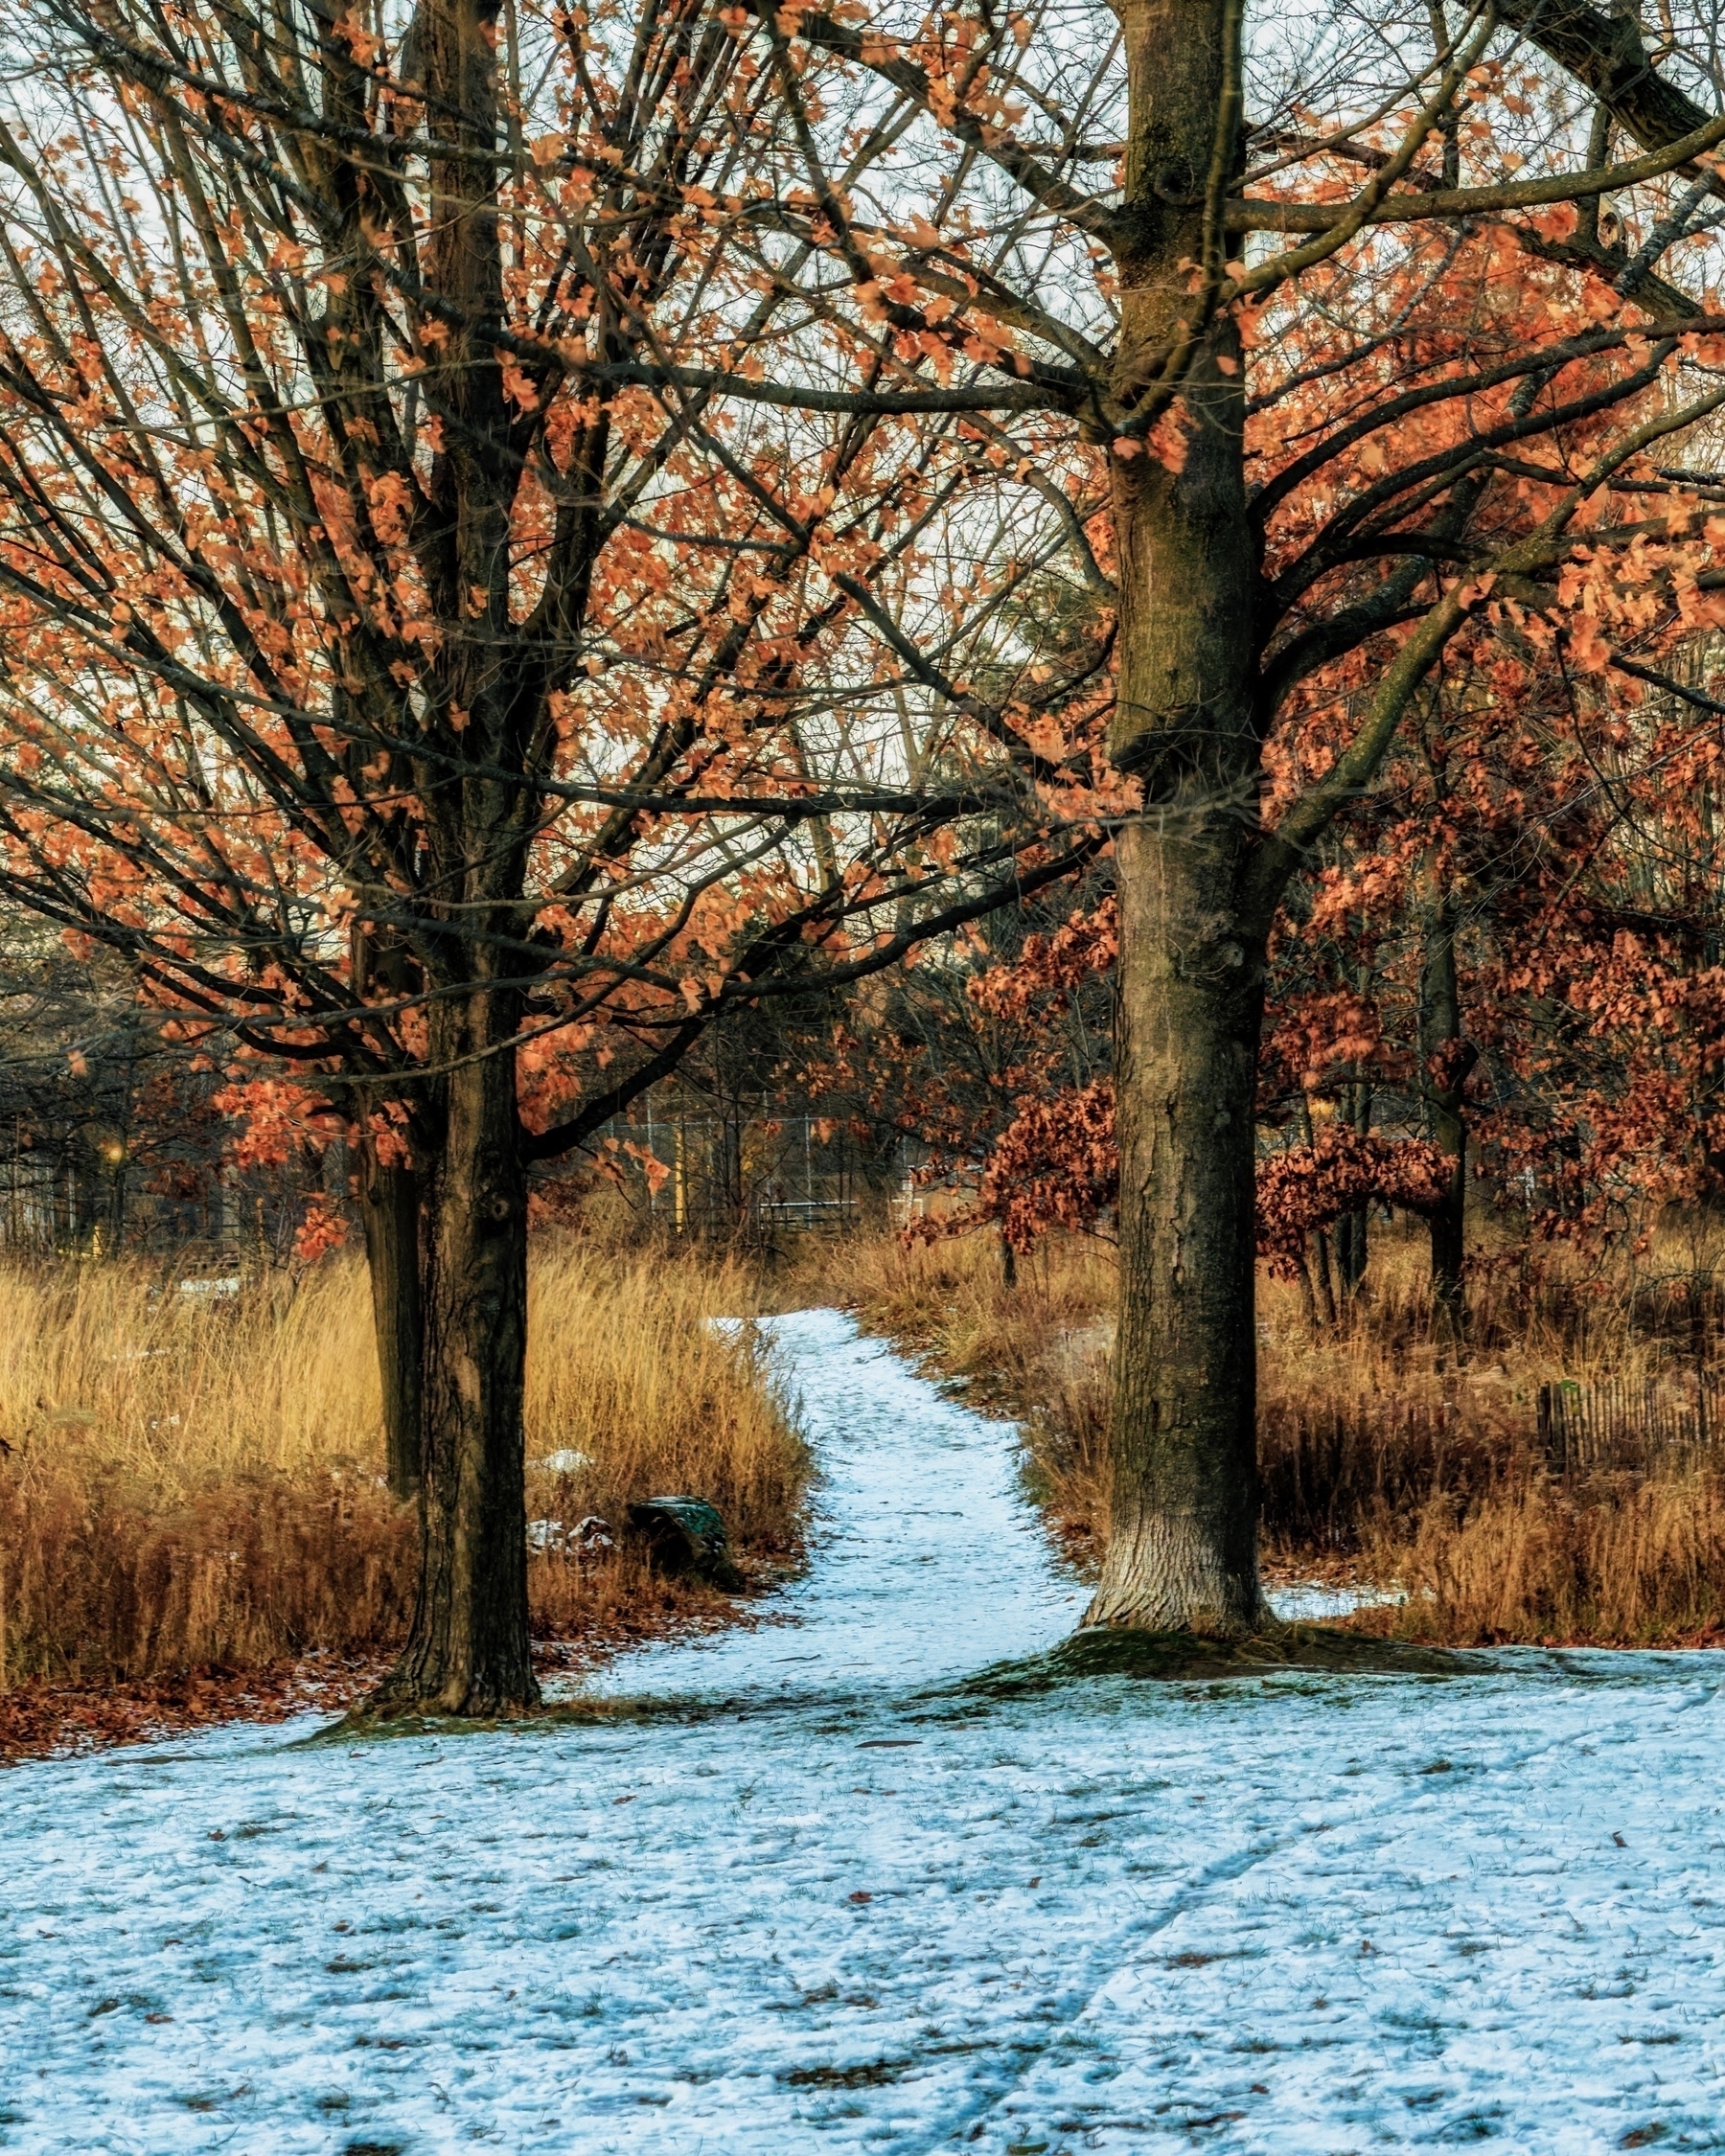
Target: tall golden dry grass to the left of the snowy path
197 1480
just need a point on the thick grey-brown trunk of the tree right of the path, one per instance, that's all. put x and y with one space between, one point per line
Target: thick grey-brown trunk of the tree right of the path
1183 1551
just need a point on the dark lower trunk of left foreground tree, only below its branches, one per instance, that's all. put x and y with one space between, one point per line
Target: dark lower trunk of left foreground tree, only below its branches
469 1640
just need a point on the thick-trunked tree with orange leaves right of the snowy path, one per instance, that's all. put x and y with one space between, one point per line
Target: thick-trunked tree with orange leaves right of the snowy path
1381 327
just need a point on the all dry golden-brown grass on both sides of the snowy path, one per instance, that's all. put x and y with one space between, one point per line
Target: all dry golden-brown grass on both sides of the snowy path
197 1480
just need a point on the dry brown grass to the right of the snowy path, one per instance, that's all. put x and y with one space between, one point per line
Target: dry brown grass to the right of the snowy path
1383 1452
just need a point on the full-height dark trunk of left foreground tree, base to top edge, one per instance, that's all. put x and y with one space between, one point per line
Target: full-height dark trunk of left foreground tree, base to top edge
469 1646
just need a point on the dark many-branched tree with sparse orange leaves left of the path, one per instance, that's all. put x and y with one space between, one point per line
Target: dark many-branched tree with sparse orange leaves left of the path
426 706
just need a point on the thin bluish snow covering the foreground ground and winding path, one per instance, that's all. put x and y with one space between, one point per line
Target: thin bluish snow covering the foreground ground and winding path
823 1898
